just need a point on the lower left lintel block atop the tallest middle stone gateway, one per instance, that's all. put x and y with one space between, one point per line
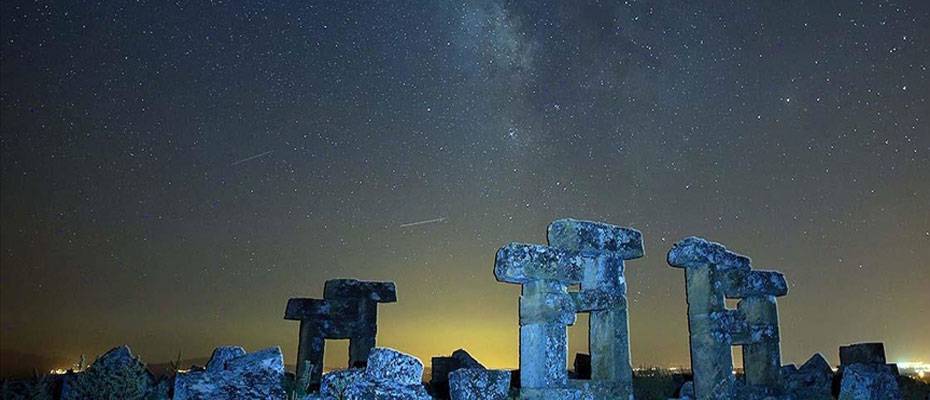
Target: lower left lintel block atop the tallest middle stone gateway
521 263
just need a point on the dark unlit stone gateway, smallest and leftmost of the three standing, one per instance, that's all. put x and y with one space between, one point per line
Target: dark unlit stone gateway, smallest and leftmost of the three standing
348 310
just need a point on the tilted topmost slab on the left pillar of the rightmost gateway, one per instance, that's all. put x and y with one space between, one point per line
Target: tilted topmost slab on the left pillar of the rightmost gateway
694 252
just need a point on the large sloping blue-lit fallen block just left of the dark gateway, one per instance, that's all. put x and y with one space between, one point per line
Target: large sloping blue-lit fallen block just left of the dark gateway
258 375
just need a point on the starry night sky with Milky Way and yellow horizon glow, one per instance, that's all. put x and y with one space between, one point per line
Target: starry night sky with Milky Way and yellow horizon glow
172 173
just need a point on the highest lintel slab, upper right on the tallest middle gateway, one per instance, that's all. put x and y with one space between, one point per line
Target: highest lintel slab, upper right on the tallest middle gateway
588 236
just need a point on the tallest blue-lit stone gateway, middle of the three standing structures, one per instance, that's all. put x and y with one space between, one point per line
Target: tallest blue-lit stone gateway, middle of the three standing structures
582 253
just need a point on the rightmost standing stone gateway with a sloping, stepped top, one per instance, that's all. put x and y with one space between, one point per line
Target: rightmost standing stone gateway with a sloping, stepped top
712 275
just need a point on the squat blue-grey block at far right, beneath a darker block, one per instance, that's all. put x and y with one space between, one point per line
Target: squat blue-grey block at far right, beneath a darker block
869 382
